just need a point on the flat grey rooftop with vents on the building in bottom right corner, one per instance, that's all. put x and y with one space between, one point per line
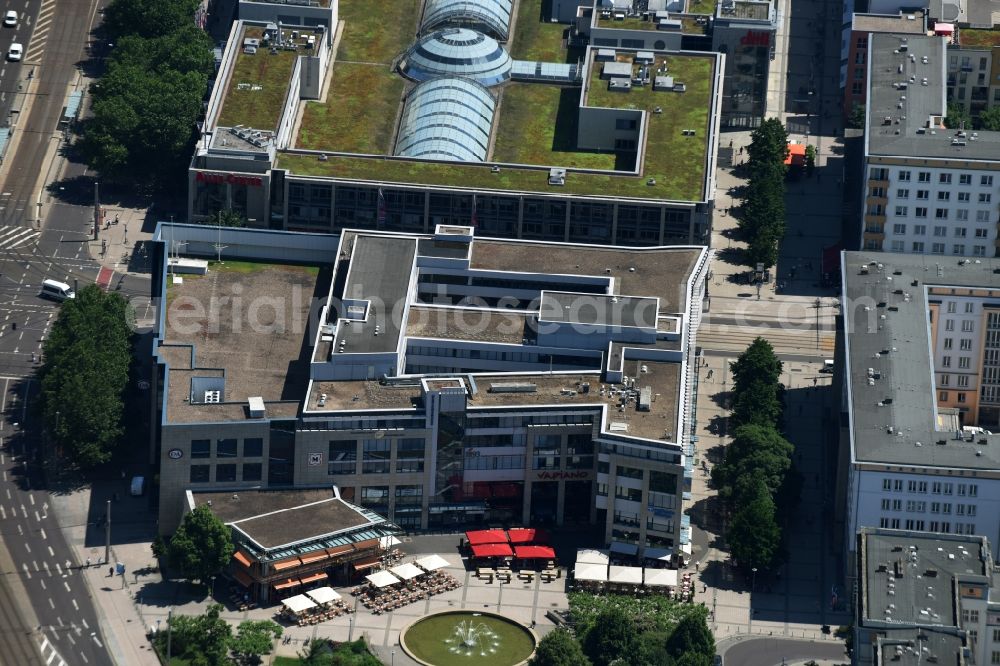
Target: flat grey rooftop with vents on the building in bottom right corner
910 577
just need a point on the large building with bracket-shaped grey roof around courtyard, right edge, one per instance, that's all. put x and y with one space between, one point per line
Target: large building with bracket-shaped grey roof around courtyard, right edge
921 385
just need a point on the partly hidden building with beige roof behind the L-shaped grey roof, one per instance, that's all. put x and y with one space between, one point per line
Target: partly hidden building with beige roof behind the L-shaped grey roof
854 49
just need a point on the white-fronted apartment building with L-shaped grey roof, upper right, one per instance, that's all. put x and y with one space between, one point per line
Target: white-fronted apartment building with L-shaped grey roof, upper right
928 190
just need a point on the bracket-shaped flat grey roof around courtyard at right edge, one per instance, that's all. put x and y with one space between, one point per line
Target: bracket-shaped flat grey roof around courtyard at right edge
897 349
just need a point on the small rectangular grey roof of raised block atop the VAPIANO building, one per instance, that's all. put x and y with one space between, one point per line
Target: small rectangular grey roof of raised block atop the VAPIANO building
597 309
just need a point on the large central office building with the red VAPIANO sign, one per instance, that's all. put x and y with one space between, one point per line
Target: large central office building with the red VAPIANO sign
437 380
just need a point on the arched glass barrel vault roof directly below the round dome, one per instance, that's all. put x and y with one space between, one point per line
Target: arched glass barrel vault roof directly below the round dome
447 119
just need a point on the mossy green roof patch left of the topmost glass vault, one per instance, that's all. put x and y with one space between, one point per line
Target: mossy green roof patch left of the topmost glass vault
376 32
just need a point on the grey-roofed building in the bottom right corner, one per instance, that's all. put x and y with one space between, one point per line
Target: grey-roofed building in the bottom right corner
925 598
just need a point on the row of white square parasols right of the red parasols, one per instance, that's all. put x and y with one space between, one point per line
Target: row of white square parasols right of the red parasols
595 573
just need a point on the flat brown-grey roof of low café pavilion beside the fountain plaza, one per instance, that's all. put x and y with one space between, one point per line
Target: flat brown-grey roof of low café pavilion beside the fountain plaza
275 518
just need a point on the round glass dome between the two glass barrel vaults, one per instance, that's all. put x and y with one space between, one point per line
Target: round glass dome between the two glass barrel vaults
457 52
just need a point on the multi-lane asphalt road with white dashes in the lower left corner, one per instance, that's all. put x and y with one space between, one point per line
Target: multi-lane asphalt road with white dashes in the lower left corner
67 629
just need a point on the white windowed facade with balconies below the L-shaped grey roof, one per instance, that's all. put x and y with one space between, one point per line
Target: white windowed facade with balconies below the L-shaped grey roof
935 210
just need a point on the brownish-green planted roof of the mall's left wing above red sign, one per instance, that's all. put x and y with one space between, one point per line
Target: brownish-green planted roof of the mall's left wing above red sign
257 108
